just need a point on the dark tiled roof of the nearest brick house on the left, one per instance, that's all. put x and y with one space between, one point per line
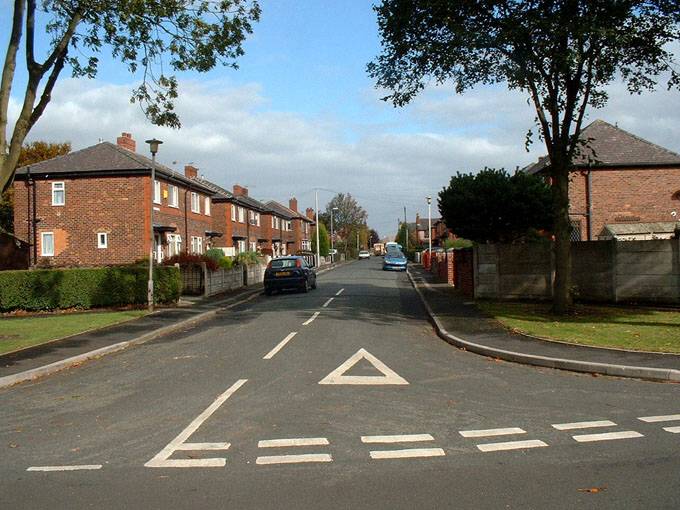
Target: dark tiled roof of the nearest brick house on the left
105 158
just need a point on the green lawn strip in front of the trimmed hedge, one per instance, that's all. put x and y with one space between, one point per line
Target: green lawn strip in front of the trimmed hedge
20 332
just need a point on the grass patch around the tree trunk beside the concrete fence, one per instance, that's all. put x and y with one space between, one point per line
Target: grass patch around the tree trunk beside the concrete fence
605 326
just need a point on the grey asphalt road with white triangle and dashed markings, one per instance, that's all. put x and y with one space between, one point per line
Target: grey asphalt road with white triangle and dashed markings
339 398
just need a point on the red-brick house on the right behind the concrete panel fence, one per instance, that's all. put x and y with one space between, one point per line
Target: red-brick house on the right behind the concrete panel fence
620 183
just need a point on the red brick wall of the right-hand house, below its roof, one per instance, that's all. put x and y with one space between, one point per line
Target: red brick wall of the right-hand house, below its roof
621 195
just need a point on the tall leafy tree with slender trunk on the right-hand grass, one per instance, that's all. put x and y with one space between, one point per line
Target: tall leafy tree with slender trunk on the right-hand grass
561 53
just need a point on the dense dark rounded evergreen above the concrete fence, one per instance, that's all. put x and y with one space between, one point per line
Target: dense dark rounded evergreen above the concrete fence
493 206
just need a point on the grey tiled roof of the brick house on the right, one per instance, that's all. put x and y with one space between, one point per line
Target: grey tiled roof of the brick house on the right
608 146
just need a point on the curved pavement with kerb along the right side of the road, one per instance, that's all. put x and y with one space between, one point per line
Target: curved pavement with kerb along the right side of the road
461 323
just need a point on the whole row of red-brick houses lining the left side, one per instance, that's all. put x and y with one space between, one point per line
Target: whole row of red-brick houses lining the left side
93 207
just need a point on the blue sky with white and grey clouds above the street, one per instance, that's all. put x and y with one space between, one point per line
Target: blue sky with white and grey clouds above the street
301 114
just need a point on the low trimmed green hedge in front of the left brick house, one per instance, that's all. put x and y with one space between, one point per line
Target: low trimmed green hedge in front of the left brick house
50 289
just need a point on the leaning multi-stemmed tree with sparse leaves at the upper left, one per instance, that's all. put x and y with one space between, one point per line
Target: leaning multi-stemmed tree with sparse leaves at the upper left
140 33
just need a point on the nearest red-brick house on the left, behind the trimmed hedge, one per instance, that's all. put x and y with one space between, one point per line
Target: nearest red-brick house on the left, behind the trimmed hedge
93 207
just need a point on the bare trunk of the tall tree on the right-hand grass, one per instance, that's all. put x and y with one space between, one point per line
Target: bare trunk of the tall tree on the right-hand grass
562 297
